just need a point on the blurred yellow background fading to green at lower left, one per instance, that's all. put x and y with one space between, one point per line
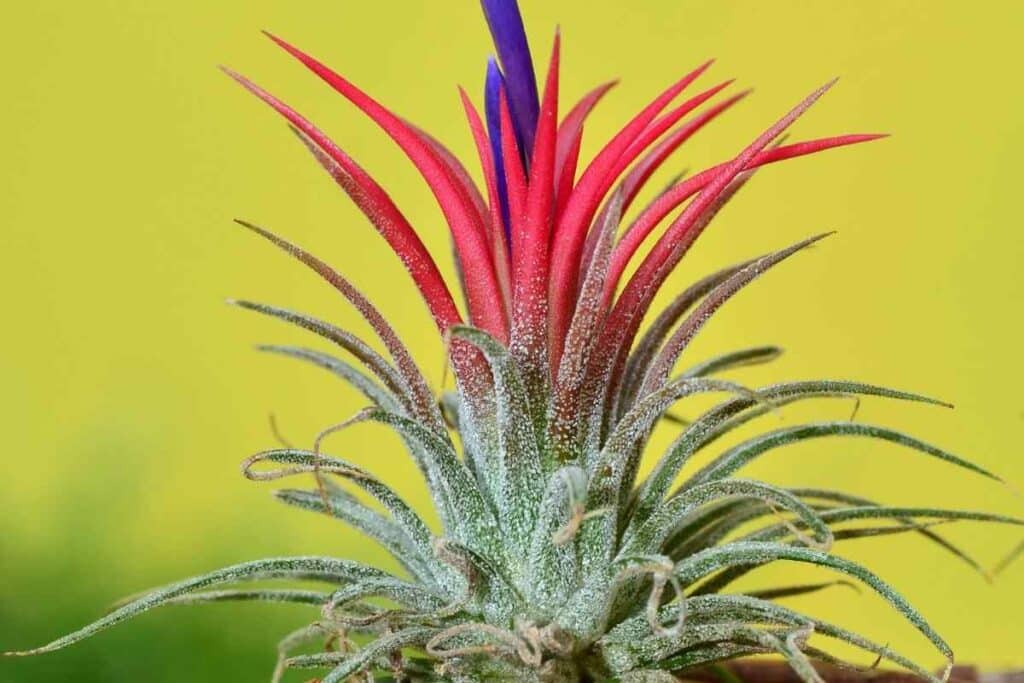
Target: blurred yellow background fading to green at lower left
132 392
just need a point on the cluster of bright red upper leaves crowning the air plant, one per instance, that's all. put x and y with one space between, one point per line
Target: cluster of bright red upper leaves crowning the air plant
524 282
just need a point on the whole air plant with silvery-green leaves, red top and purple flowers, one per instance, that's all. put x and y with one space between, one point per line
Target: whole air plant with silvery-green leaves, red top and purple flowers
556 560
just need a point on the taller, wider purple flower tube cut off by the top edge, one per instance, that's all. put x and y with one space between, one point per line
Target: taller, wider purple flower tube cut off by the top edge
514 52
